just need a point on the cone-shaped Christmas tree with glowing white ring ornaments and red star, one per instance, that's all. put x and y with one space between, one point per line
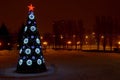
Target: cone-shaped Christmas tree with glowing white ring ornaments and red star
31 58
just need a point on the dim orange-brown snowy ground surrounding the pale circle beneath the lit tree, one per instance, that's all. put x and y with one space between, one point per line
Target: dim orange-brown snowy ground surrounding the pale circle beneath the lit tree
70 65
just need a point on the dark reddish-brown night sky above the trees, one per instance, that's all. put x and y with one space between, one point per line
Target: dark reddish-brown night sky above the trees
14 12
